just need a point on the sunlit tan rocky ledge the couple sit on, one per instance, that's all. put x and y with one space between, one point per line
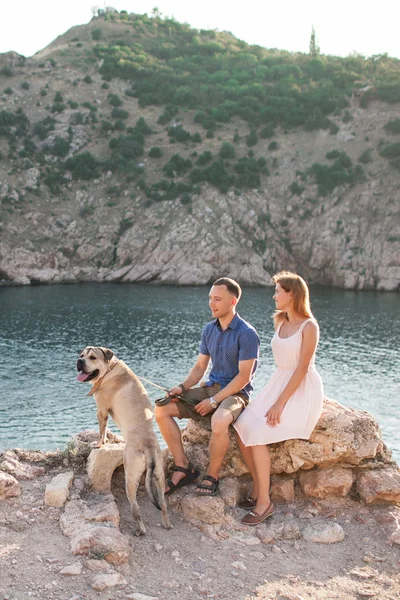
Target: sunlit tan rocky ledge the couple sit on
343 474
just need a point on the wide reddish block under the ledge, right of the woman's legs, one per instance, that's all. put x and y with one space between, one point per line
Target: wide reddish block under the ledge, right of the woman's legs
323 483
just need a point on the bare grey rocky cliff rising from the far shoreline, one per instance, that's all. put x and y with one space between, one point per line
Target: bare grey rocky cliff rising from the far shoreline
106 229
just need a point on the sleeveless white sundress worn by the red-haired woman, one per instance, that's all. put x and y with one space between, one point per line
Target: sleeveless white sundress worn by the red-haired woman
302 410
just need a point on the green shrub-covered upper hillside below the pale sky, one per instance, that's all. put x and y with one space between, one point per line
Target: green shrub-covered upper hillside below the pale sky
233 94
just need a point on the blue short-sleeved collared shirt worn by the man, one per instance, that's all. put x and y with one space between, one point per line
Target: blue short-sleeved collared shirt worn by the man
239 341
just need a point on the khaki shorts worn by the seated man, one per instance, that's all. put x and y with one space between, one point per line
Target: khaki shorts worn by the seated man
186 406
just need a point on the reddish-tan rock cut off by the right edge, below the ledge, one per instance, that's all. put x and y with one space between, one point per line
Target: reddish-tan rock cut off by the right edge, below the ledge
376 487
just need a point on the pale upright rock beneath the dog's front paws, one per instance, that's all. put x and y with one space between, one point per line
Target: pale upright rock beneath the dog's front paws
102 463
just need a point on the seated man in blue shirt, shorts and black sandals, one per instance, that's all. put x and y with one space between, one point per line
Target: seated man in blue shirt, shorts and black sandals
232 345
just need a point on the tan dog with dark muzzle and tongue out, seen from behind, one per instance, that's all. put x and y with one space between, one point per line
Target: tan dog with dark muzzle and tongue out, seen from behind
119 392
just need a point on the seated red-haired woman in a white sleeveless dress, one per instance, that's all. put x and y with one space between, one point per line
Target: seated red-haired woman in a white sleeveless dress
290 404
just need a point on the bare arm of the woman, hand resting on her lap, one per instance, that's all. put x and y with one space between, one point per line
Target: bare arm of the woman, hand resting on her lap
308 346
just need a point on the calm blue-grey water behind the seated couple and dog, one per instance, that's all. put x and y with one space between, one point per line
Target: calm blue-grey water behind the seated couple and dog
156 330
